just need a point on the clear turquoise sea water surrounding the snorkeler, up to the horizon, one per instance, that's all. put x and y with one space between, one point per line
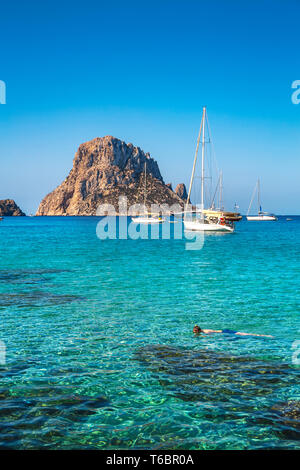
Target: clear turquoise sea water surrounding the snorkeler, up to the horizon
99 345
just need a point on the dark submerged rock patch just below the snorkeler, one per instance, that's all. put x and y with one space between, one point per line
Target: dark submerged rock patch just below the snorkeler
209 376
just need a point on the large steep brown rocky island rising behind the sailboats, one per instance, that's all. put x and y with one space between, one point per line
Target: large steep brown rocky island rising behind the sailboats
104 169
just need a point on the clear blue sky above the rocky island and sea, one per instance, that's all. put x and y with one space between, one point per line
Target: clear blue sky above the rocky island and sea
142 71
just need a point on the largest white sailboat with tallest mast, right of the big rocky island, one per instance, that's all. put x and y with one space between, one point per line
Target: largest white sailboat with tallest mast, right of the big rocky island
210 220
